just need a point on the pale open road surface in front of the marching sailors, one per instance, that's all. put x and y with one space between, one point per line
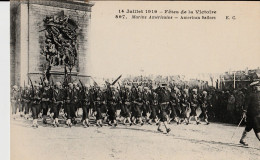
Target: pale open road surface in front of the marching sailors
202 142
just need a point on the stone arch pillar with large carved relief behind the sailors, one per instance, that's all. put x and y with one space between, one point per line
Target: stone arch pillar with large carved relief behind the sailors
49 40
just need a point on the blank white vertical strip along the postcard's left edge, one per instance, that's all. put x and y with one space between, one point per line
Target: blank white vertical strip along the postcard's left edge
5 80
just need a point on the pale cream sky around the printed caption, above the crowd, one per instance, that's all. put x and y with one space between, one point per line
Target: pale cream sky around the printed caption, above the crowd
171 47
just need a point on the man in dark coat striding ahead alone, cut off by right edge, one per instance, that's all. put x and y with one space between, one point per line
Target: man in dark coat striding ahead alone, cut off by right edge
252 112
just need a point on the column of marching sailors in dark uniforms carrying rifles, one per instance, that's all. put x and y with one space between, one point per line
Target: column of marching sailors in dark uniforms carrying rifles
136 104
